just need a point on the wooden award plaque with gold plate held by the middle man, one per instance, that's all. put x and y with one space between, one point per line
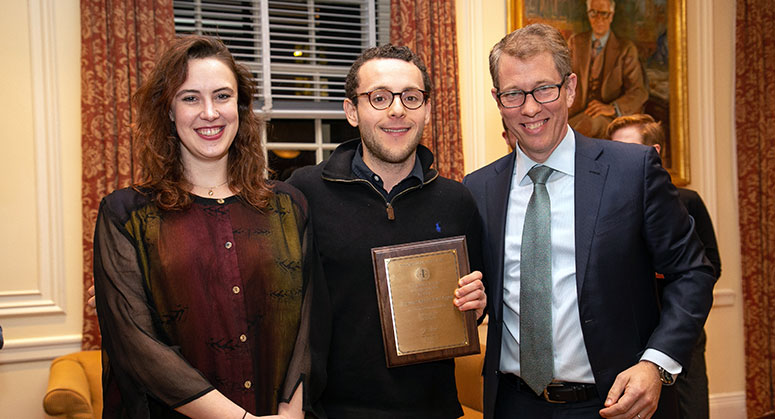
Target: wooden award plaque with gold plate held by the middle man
410 274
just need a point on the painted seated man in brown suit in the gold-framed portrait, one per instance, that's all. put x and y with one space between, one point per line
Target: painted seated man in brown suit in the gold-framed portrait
610 77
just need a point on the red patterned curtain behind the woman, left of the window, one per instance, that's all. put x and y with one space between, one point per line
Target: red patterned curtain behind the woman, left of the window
119 42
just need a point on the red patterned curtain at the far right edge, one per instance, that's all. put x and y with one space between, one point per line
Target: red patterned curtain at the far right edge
755 130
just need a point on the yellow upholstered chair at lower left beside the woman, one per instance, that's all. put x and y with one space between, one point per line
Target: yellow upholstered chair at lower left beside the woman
75 386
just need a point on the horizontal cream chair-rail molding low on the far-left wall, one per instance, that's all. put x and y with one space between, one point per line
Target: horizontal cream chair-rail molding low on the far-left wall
38 349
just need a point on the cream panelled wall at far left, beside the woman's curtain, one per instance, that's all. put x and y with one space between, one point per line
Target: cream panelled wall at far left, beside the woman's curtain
40 168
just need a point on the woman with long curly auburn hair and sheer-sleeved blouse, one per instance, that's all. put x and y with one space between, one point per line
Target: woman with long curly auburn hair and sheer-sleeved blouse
202 270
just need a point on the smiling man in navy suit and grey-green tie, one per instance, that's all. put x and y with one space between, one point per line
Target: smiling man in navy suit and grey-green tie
614 219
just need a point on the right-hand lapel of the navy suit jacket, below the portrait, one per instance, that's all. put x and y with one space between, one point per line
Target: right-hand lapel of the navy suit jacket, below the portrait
589 183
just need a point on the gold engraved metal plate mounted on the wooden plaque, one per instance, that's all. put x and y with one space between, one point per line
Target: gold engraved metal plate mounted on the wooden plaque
421 289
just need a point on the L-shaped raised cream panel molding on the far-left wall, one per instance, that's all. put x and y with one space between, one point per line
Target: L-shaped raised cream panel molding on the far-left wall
49 297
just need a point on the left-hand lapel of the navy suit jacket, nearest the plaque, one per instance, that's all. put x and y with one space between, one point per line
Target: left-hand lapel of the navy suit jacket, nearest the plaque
498 188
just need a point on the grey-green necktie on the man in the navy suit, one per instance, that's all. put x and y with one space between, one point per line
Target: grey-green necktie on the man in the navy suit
536 358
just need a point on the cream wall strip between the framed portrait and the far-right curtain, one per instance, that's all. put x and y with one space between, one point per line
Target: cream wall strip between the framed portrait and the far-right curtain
711 31
